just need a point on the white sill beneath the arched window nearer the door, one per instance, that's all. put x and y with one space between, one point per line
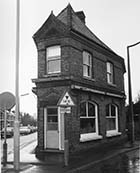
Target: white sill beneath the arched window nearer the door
89 137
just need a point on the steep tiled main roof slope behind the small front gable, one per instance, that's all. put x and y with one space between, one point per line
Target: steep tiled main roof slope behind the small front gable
69 17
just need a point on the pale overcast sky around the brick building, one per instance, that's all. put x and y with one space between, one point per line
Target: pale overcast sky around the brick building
115 22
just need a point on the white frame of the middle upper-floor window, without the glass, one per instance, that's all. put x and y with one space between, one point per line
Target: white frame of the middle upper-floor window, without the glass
87 65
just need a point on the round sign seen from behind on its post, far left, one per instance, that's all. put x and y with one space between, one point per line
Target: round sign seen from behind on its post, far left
7 101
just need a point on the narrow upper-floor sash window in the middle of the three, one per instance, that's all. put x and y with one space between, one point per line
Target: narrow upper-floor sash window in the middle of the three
87 64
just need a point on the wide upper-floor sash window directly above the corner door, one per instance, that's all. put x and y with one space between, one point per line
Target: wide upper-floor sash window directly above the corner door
53 57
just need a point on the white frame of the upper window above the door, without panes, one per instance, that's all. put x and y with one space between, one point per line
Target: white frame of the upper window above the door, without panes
52 58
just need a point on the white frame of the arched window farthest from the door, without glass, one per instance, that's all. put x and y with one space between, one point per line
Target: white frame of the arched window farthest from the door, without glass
116 130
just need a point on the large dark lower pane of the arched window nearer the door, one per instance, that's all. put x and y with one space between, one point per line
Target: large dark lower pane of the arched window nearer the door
87 125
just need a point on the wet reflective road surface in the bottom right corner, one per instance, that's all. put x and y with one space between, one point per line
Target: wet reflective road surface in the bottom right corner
123 163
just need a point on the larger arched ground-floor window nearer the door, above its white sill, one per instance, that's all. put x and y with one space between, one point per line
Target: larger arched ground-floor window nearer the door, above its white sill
88 118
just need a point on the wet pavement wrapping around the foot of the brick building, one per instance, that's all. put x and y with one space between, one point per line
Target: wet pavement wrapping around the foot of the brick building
77 162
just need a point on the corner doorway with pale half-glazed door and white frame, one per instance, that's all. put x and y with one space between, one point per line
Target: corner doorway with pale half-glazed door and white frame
54 128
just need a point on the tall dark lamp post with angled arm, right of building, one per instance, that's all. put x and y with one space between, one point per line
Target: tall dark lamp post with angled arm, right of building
130 109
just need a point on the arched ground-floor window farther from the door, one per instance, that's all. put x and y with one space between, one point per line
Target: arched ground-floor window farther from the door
111 118
